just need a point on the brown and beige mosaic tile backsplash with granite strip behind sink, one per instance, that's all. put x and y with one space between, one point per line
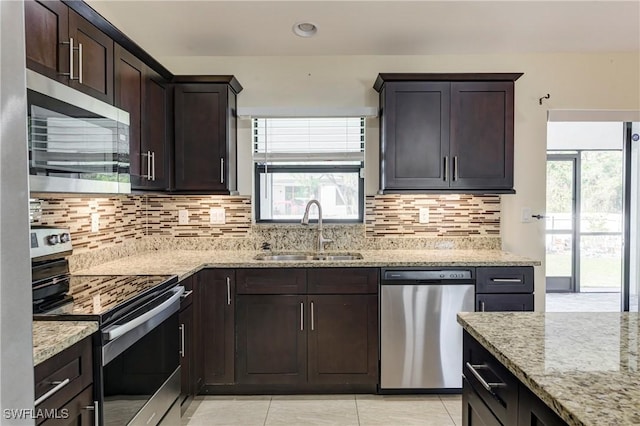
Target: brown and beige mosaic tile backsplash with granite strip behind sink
129 223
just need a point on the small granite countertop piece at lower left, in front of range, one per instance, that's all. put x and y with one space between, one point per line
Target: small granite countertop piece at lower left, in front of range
52 337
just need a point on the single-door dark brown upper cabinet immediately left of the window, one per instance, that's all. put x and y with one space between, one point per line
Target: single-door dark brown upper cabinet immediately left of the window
205 134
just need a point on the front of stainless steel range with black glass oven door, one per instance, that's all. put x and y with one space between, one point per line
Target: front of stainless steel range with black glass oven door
141 365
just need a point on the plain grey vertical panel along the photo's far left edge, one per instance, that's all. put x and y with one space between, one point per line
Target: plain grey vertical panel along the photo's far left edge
16 363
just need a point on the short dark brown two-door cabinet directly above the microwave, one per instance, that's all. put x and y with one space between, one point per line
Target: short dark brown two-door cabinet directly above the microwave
66 47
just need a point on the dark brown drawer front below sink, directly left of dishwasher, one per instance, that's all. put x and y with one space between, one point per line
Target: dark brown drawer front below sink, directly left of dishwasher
342 281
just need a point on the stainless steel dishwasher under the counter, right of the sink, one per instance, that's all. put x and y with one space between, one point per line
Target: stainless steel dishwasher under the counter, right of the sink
420 339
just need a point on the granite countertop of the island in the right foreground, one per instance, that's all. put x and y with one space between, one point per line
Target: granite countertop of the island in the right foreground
585 366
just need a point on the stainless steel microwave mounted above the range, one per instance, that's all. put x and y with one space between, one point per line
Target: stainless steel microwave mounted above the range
76 143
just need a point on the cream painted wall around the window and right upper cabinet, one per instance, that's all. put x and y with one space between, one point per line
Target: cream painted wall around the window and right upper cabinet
574 81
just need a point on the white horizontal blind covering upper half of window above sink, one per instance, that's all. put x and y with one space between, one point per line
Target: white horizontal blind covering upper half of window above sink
308 139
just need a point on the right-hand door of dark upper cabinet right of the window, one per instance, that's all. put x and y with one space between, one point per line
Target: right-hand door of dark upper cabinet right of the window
481 142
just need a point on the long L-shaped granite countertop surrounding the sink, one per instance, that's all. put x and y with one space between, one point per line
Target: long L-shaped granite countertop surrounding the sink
186 262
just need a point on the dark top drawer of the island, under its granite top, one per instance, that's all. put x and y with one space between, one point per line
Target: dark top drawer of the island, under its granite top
478 362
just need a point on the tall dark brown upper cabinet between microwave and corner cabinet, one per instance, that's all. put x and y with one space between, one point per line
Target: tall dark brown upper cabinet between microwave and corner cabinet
144 95
